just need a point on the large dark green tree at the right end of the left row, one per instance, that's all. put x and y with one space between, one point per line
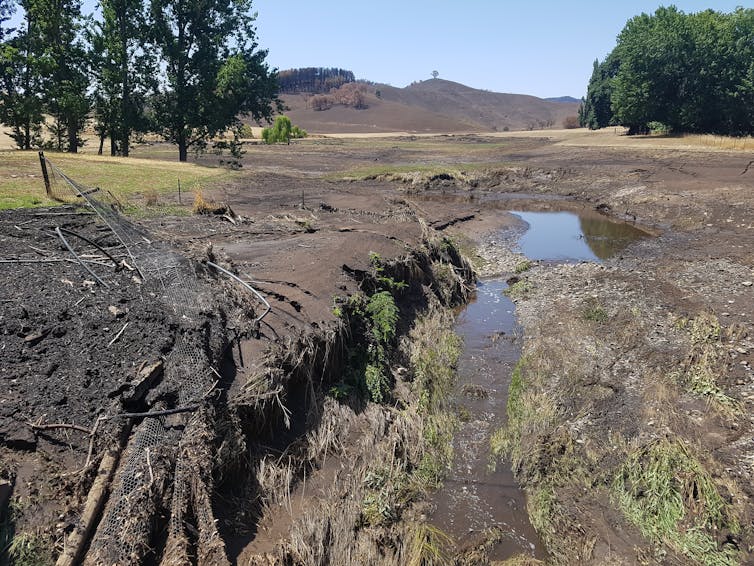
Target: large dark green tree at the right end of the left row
214 70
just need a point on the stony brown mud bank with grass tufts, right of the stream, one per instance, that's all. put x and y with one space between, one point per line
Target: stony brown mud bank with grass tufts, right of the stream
630 412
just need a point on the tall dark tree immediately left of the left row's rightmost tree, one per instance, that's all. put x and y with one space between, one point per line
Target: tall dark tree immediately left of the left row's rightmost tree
124 72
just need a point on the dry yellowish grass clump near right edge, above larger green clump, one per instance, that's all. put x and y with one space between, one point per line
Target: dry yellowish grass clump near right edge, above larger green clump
704 363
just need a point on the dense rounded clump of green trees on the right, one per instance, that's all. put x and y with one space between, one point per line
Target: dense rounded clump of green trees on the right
680 72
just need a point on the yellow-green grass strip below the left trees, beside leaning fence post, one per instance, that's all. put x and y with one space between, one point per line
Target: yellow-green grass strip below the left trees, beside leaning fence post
129 179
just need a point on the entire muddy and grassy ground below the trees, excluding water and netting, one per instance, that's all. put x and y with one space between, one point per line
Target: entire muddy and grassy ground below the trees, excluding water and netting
636 377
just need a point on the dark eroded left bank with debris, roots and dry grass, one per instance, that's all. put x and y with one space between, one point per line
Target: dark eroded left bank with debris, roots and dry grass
318 449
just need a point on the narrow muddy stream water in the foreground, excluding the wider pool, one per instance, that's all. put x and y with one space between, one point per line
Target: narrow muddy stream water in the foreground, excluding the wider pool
473 497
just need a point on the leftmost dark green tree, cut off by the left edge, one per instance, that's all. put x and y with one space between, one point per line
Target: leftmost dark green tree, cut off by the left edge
21 105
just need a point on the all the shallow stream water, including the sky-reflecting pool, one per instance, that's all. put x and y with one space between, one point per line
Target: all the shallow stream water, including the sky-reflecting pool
476 498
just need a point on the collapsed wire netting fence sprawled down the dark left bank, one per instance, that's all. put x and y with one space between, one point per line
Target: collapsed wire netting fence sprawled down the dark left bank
123 535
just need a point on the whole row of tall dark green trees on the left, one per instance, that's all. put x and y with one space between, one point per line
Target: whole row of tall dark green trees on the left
184 69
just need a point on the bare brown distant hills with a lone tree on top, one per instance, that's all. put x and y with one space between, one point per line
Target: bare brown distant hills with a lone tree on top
431 106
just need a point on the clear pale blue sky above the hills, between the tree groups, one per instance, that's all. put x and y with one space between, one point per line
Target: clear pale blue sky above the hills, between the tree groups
540 47
